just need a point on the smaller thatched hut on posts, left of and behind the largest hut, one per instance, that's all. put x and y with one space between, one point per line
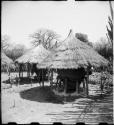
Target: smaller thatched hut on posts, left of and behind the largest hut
32 57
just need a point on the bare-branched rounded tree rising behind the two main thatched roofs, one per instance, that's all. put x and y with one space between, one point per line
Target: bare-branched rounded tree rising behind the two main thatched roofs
45 37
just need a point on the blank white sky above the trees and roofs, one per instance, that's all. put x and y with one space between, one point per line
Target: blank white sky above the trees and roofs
21 18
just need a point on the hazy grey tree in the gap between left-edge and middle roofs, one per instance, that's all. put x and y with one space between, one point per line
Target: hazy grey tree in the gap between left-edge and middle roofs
15 51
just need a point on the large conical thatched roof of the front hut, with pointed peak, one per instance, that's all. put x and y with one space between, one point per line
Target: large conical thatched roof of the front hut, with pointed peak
73 53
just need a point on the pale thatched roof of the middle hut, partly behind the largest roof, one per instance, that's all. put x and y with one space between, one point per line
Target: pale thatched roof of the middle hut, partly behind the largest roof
35 55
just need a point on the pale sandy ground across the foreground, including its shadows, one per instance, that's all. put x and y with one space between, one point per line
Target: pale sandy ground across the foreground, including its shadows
31 103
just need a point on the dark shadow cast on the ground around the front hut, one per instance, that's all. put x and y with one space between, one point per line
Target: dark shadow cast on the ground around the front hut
46 95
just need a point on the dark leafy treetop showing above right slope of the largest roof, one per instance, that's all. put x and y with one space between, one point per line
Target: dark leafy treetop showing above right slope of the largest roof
84 38
